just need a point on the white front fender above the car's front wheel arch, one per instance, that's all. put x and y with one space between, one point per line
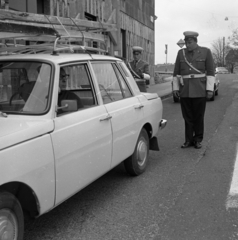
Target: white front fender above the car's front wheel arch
31 163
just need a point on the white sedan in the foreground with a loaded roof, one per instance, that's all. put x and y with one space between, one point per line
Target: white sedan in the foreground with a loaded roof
51 146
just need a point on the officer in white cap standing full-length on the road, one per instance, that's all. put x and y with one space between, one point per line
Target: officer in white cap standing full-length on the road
193 82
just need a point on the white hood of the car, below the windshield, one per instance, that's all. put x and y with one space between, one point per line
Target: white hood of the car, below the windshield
17 130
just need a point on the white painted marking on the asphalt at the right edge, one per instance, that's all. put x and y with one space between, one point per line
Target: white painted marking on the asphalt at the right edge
232 199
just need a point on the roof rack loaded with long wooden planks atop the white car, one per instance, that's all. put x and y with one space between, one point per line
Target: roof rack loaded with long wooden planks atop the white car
19 34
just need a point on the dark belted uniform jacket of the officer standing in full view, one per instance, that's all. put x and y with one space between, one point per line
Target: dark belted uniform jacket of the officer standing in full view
201 60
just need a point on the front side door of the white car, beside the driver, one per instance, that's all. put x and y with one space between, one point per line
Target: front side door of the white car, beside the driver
82 139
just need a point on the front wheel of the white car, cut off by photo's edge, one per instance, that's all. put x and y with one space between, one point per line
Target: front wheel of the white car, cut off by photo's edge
11 217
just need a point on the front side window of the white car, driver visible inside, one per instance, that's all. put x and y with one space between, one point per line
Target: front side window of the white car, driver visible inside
75 89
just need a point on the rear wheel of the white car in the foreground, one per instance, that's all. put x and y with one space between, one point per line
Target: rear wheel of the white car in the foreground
137 162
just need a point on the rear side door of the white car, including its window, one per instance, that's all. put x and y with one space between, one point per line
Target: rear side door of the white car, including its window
125 109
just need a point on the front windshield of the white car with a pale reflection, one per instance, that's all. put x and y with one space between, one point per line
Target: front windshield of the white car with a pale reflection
24 87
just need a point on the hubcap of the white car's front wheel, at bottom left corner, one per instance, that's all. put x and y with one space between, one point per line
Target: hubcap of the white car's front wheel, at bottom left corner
8 225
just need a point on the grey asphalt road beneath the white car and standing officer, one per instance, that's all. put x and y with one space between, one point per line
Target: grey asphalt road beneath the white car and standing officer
182 195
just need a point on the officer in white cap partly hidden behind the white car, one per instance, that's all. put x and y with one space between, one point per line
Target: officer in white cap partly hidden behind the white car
139 68
